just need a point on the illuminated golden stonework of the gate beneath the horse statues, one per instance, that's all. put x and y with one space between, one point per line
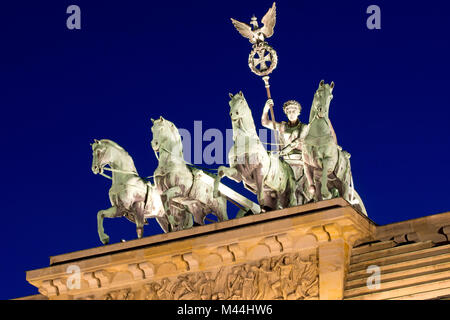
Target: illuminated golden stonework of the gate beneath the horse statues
316 251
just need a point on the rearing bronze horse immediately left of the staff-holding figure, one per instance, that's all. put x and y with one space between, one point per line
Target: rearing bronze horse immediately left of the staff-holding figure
268 176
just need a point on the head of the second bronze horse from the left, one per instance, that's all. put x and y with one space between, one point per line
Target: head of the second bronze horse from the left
165 135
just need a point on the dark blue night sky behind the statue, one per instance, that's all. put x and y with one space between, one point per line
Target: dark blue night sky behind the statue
136 60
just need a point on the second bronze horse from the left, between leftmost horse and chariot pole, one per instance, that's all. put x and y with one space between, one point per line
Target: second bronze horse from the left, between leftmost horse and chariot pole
186 198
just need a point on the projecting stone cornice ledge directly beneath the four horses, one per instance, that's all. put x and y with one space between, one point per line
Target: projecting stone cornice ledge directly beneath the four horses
297 230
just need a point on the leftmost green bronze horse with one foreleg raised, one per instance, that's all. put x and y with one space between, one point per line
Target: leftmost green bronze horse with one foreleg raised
130 195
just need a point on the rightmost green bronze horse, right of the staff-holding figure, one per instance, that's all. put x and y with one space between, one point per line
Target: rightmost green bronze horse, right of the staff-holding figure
326 165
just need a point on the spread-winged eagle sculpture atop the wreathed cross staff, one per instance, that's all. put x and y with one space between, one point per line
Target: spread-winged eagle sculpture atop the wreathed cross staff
255 34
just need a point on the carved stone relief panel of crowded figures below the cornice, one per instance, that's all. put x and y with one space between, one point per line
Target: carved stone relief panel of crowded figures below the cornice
281 277
